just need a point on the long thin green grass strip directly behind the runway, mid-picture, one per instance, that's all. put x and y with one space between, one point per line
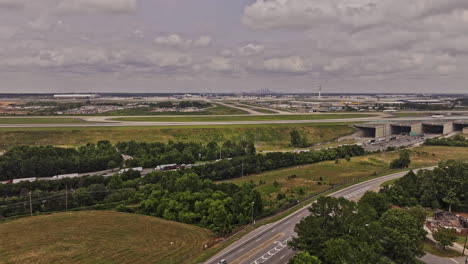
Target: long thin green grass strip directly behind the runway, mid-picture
241 118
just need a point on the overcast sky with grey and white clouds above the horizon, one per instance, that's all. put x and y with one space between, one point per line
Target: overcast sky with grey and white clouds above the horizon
233 45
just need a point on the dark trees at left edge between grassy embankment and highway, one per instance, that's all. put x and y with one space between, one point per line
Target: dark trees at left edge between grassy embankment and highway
42 161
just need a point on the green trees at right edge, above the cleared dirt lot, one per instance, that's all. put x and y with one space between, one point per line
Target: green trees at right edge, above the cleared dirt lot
445 187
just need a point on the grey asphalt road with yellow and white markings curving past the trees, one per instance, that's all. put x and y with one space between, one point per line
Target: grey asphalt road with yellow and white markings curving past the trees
268 243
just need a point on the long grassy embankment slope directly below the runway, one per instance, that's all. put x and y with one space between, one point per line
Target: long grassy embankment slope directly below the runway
268 137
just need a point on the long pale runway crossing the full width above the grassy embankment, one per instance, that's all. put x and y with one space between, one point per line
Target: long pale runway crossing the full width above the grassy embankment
106 121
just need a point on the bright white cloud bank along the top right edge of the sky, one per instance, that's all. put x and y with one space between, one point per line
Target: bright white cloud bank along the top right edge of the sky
352 13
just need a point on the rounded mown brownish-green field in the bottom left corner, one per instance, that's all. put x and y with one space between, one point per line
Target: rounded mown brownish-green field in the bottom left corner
99 237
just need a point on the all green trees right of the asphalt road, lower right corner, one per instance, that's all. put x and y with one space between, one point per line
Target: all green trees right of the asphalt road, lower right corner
371 231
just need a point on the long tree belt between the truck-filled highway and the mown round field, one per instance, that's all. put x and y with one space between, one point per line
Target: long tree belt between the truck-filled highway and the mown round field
177 196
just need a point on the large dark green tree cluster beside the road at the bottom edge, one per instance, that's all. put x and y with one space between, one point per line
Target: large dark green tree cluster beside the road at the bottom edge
341 231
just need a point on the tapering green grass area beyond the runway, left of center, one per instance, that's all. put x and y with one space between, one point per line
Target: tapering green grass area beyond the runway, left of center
217 109
